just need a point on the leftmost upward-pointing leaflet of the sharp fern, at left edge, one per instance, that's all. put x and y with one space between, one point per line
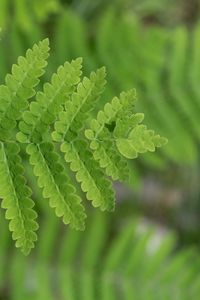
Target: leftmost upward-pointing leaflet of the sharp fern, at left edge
20 86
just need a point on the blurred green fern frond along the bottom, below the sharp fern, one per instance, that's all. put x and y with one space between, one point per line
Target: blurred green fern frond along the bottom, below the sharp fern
134 260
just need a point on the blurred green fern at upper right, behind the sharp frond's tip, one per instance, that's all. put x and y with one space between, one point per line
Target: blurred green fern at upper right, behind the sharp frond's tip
163 65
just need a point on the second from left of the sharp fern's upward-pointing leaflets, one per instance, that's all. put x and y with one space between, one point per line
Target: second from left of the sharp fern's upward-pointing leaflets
43 112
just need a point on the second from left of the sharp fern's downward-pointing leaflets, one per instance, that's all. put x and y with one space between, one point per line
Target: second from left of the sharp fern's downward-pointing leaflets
56 184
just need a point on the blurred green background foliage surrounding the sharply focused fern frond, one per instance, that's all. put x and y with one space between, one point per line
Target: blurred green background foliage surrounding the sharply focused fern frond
154 46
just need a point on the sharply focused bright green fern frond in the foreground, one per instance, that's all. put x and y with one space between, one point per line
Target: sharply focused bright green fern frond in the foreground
60 120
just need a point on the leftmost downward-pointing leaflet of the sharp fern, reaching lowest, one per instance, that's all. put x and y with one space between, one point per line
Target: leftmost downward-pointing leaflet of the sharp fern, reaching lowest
16 197
